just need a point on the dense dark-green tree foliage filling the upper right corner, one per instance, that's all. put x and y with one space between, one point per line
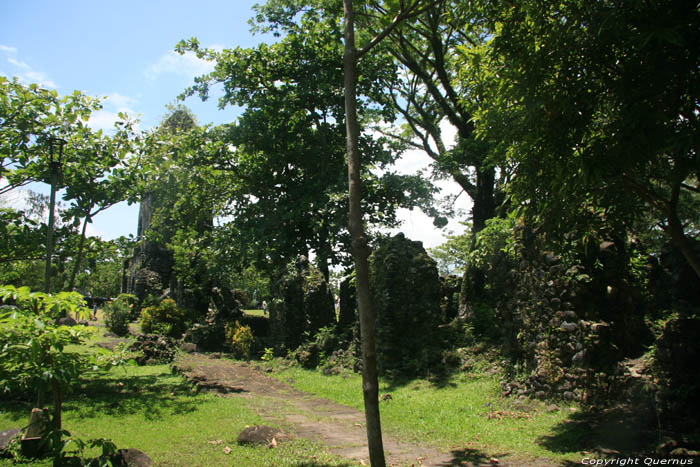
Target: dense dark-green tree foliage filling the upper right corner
598 105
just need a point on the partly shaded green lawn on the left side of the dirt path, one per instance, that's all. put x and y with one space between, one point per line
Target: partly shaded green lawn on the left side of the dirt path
150 409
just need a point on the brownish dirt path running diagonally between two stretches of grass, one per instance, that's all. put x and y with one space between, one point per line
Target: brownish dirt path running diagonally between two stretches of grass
341 428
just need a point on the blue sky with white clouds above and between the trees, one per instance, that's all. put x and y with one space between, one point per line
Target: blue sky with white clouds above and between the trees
123 52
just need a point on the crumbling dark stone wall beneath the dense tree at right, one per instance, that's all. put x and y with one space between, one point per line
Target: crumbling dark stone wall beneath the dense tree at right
568 326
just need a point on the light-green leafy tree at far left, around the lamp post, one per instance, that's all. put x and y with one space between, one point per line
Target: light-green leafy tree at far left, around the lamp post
94 168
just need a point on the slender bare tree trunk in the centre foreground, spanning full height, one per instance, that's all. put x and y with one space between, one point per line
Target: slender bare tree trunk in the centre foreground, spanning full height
360 249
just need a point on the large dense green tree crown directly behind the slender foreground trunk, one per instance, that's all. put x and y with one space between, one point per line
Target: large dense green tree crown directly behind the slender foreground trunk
287 192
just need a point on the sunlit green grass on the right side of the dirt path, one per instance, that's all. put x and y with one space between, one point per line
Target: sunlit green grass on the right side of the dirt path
466 412
